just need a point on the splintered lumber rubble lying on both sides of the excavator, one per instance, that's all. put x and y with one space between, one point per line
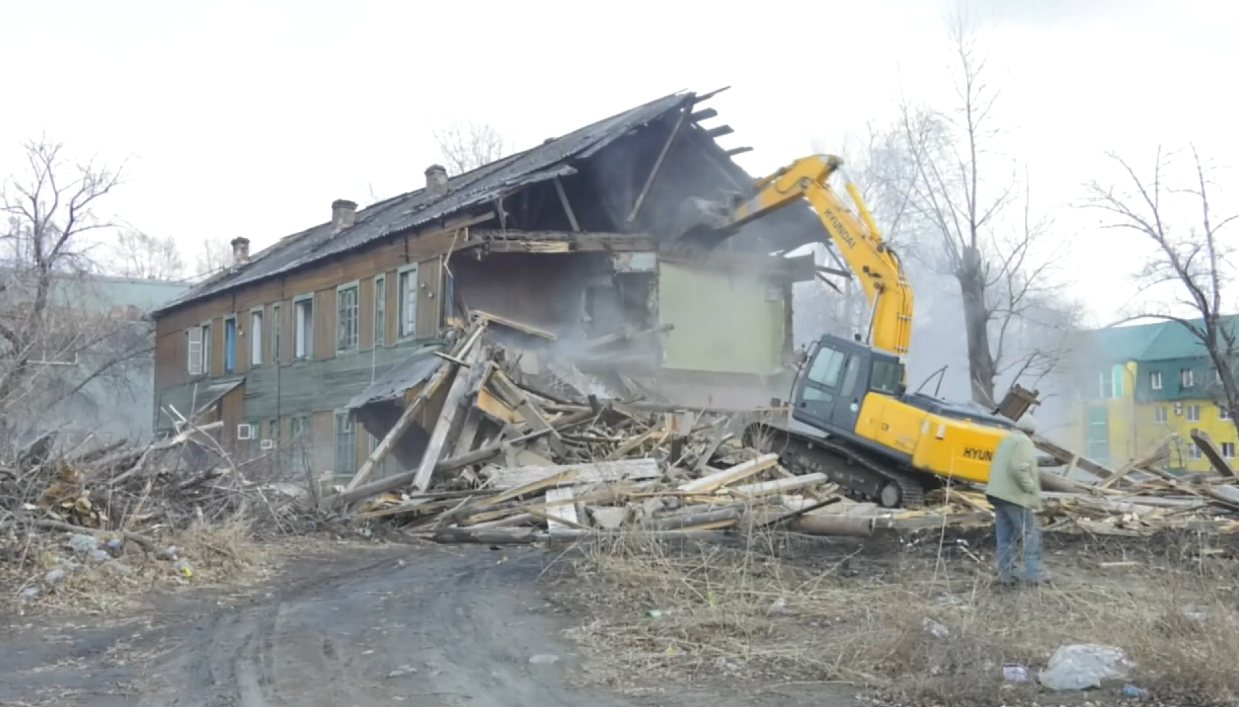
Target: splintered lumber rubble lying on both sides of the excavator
521 450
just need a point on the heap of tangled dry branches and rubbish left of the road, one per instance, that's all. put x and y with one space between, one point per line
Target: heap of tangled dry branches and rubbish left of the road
121 510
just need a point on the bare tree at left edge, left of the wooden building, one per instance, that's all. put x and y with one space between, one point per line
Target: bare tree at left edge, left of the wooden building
55 337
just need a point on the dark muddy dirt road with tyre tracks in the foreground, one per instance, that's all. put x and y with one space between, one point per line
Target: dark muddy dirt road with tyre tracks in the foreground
423 626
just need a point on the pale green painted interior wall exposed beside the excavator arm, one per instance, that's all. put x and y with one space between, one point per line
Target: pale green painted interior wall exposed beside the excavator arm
724 323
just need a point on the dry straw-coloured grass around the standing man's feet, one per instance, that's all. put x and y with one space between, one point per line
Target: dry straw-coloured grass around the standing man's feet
773 611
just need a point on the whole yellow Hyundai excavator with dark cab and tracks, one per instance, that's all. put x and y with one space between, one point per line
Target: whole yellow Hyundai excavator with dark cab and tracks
853 417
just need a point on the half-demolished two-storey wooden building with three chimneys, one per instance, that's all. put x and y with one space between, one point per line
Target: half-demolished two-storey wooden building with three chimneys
563 237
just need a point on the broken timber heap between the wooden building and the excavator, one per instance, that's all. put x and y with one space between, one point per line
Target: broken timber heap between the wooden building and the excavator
537 454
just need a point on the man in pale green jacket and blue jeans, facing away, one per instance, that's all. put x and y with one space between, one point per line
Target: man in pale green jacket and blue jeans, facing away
1015 493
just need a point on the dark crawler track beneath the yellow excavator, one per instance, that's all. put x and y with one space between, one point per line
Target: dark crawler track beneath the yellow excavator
860 475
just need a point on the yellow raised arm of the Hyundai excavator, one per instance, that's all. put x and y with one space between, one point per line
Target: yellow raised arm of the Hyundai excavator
858 240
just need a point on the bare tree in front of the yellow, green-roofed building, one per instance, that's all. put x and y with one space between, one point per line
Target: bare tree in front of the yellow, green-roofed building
1196 263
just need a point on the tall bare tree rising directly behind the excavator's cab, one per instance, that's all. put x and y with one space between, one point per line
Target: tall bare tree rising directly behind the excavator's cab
963 197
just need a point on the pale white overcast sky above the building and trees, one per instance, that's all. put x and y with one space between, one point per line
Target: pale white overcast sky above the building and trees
250 118
